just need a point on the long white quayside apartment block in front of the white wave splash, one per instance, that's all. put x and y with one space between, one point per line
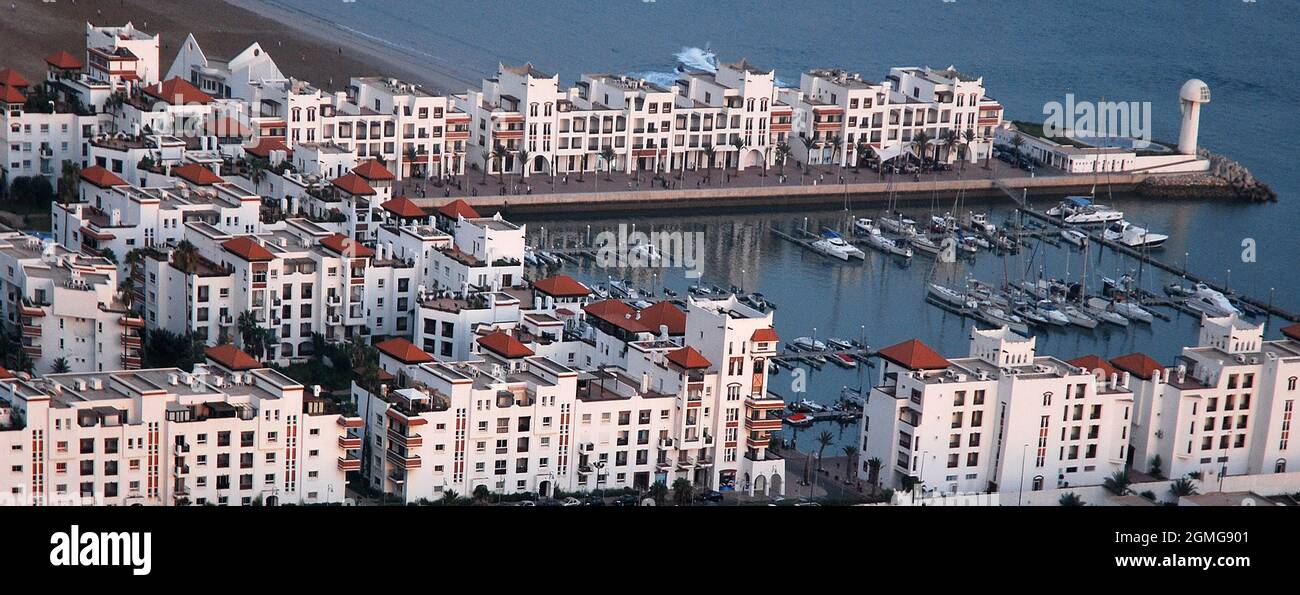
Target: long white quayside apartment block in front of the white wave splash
647 127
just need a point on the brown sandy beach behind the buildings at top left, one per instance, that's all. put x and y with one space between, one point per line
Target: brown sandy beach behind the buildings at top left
304 49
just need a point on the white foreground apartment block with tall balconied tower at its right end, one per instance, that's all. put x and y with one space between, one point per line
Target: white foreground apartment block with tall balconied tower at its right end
532 412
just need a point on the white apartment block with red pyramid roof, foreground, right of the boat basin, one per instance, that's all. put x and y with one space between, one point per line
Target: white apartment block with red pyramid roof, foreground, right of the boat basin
1002 420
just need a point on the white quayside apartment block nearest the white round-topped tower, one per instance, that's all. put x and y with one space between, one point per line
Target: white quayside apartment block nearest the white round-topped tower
840 115
